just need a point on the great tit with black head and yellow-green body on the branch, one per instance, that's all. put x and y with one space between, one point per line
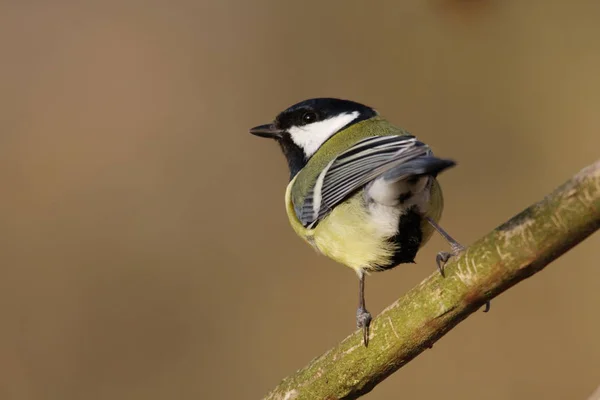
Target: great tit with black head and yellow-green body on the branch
362 191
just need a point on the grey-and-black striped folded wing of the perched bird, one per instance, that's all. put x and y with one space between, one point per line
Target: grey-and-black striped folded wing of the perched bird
353 169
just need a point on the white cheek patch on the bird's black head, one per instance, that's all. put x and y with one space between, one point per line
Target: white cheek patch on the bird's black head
310 137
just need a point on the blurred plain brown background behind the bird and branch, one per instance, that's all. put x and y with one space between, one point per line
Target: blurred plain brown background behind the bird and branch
144 248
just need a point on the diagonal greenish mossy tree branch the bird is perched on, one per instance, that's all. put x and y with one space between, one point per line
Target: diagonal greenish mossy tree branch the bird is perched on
517 249
